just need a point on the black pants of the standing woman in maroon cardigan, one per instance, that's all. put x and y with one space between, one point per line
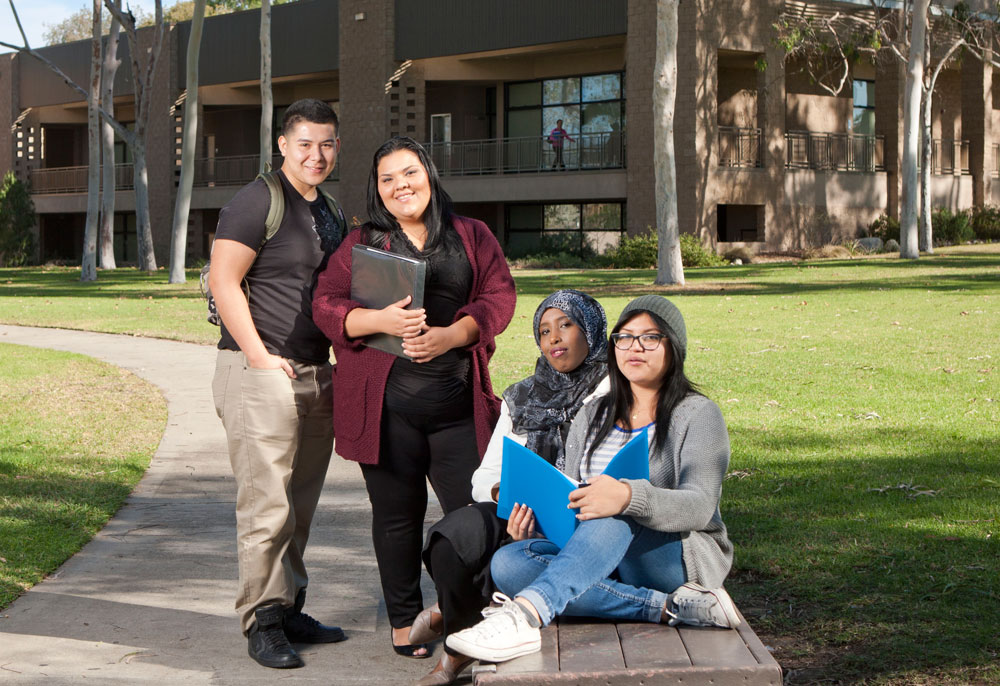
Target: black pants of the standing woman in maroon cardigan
414 448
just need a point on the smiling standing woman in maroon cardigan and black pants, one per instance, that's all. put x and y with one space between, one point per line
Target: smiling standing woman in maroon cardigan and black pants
429 416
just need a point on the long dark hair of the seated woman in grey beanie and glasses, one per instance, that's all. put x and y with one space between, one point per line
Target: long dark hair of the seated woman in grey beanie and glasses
616 406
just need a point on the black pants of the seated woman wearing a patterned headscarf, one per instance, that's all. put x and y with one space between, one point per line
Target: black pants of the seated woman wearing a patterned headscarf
457 555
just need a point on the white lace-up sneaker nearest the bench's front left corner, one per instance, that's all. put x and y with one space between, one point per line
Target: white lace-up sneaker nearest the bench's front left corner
503 634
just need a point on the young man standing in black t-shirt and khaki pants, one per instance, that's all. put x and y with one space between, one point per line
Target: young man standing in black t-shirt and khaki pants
272 385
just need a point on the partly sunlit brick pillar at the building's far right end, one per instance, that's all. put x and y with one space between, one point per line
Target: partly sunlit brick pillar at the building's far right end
977 125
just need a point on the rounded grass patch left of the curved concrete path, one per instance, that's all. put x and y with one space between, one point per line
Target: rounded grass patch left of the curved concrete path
76 436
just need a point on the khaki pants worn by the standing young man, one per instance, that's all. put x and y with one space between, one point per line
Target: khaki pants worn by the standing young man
280 435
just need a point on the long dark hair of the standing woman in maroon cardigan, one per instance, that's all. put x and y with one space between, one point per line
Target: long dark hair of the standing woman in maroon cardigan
437 217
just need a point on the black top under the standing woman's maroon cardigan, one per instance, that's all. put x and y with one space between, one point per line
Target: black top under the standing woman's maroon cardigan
443 383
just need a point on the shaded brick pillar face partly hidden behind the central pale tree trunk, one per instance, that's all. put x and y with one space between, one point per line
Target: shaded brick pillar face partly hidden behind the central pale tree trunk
640 58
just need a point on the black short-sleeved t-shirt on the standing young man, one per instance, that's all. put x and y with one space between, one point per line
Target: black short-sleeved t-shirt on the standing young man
283 277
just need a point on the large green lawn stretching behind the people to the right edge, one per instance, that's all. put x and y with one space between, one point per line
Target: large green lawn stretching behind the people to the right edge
863 401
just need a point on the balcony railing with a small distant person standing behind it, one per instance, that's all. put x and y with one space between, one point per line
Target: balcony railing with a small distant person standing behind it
604 150
